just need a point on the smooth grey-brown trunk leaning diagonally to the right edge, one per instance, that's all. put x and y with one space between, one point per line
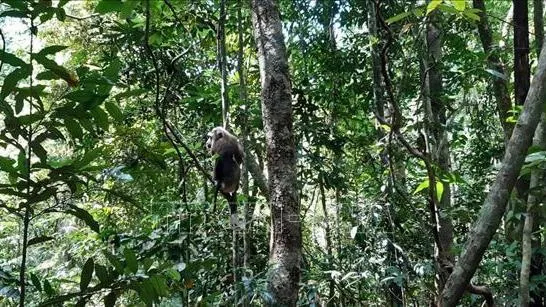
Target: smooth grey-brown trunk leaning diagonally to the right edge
497 198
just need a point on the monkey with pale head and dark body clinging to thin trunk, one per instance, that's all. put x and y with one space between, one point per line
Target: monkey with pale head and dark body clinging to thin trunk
227 168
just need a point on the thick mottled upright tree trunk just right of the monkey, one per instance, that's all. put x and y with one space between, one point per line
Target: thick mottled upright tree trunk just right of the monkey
285 249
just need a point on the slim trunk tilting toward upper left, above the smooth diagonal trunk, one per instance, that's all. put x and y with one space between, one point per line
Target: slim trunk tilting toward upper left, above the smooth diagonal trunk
494 62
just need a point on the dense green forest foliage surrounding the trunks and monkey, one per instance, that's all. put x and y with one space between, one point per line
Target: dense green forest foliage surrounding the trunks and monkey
102 126
